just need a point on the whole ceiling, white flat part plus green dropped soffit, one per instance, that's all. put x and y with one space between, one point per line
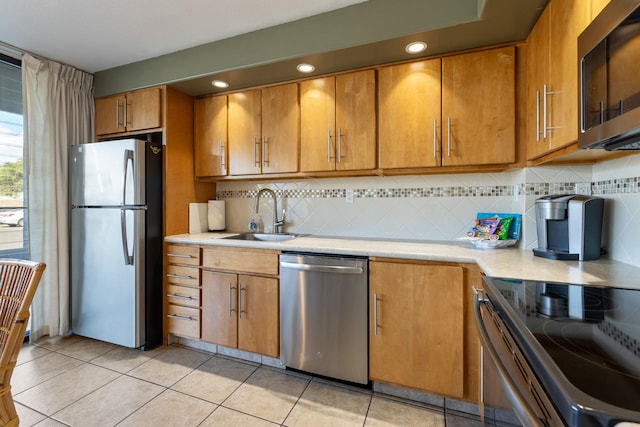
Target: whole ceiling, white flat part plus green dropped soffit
130 44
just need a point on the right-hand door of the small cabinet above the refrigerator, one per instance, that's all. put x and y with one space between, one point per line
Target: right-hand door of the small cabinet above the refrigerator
144 109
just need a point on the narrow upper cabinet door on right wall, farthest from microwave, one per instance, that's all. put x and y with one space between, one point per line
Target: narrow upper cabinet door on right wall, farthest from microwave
537 78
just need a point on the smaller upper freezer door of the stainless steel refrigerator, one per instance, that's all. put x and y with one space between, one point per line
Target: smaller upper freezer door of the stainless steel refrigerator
109 173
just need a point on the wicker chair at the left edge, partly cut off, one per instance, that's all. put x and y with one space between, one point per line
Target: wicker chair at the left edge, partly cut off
18 282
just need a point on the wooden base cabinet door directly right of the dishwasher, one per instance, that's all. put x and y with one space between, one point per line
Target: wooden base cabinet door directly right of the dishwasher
418 340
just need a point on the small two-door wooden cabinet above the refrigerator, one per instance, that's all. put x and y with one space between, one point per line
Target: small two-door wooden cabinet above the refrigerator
129 112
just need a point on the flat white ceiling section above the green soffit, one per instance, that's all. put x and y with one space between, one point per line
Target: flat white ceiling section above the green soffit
95 35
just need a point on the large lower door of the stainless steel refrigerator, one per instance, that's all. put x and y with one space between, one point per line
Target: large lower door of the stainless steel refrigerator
108 275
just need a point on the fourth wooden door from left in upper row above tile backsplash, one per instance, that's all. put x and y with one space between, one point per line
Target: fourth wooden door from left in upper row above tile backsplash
317 124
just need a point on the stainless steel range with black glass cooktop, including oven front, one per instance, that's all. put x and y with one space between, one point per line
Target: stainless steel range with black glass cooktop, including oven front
566 355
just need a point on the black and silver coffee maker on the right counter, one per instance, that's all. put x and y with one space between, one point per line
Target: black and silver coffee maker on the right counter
569 227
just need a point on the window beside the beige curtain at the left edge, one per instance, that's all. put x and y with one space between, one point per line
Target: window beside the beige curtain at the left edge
13 210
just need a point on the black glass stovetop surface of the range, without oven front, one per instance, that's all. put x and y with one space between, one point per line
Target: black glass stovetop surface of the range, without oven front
583 343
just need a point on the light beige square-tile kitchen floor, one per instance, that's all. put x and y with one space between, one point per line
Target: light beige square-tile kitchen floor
75 381
